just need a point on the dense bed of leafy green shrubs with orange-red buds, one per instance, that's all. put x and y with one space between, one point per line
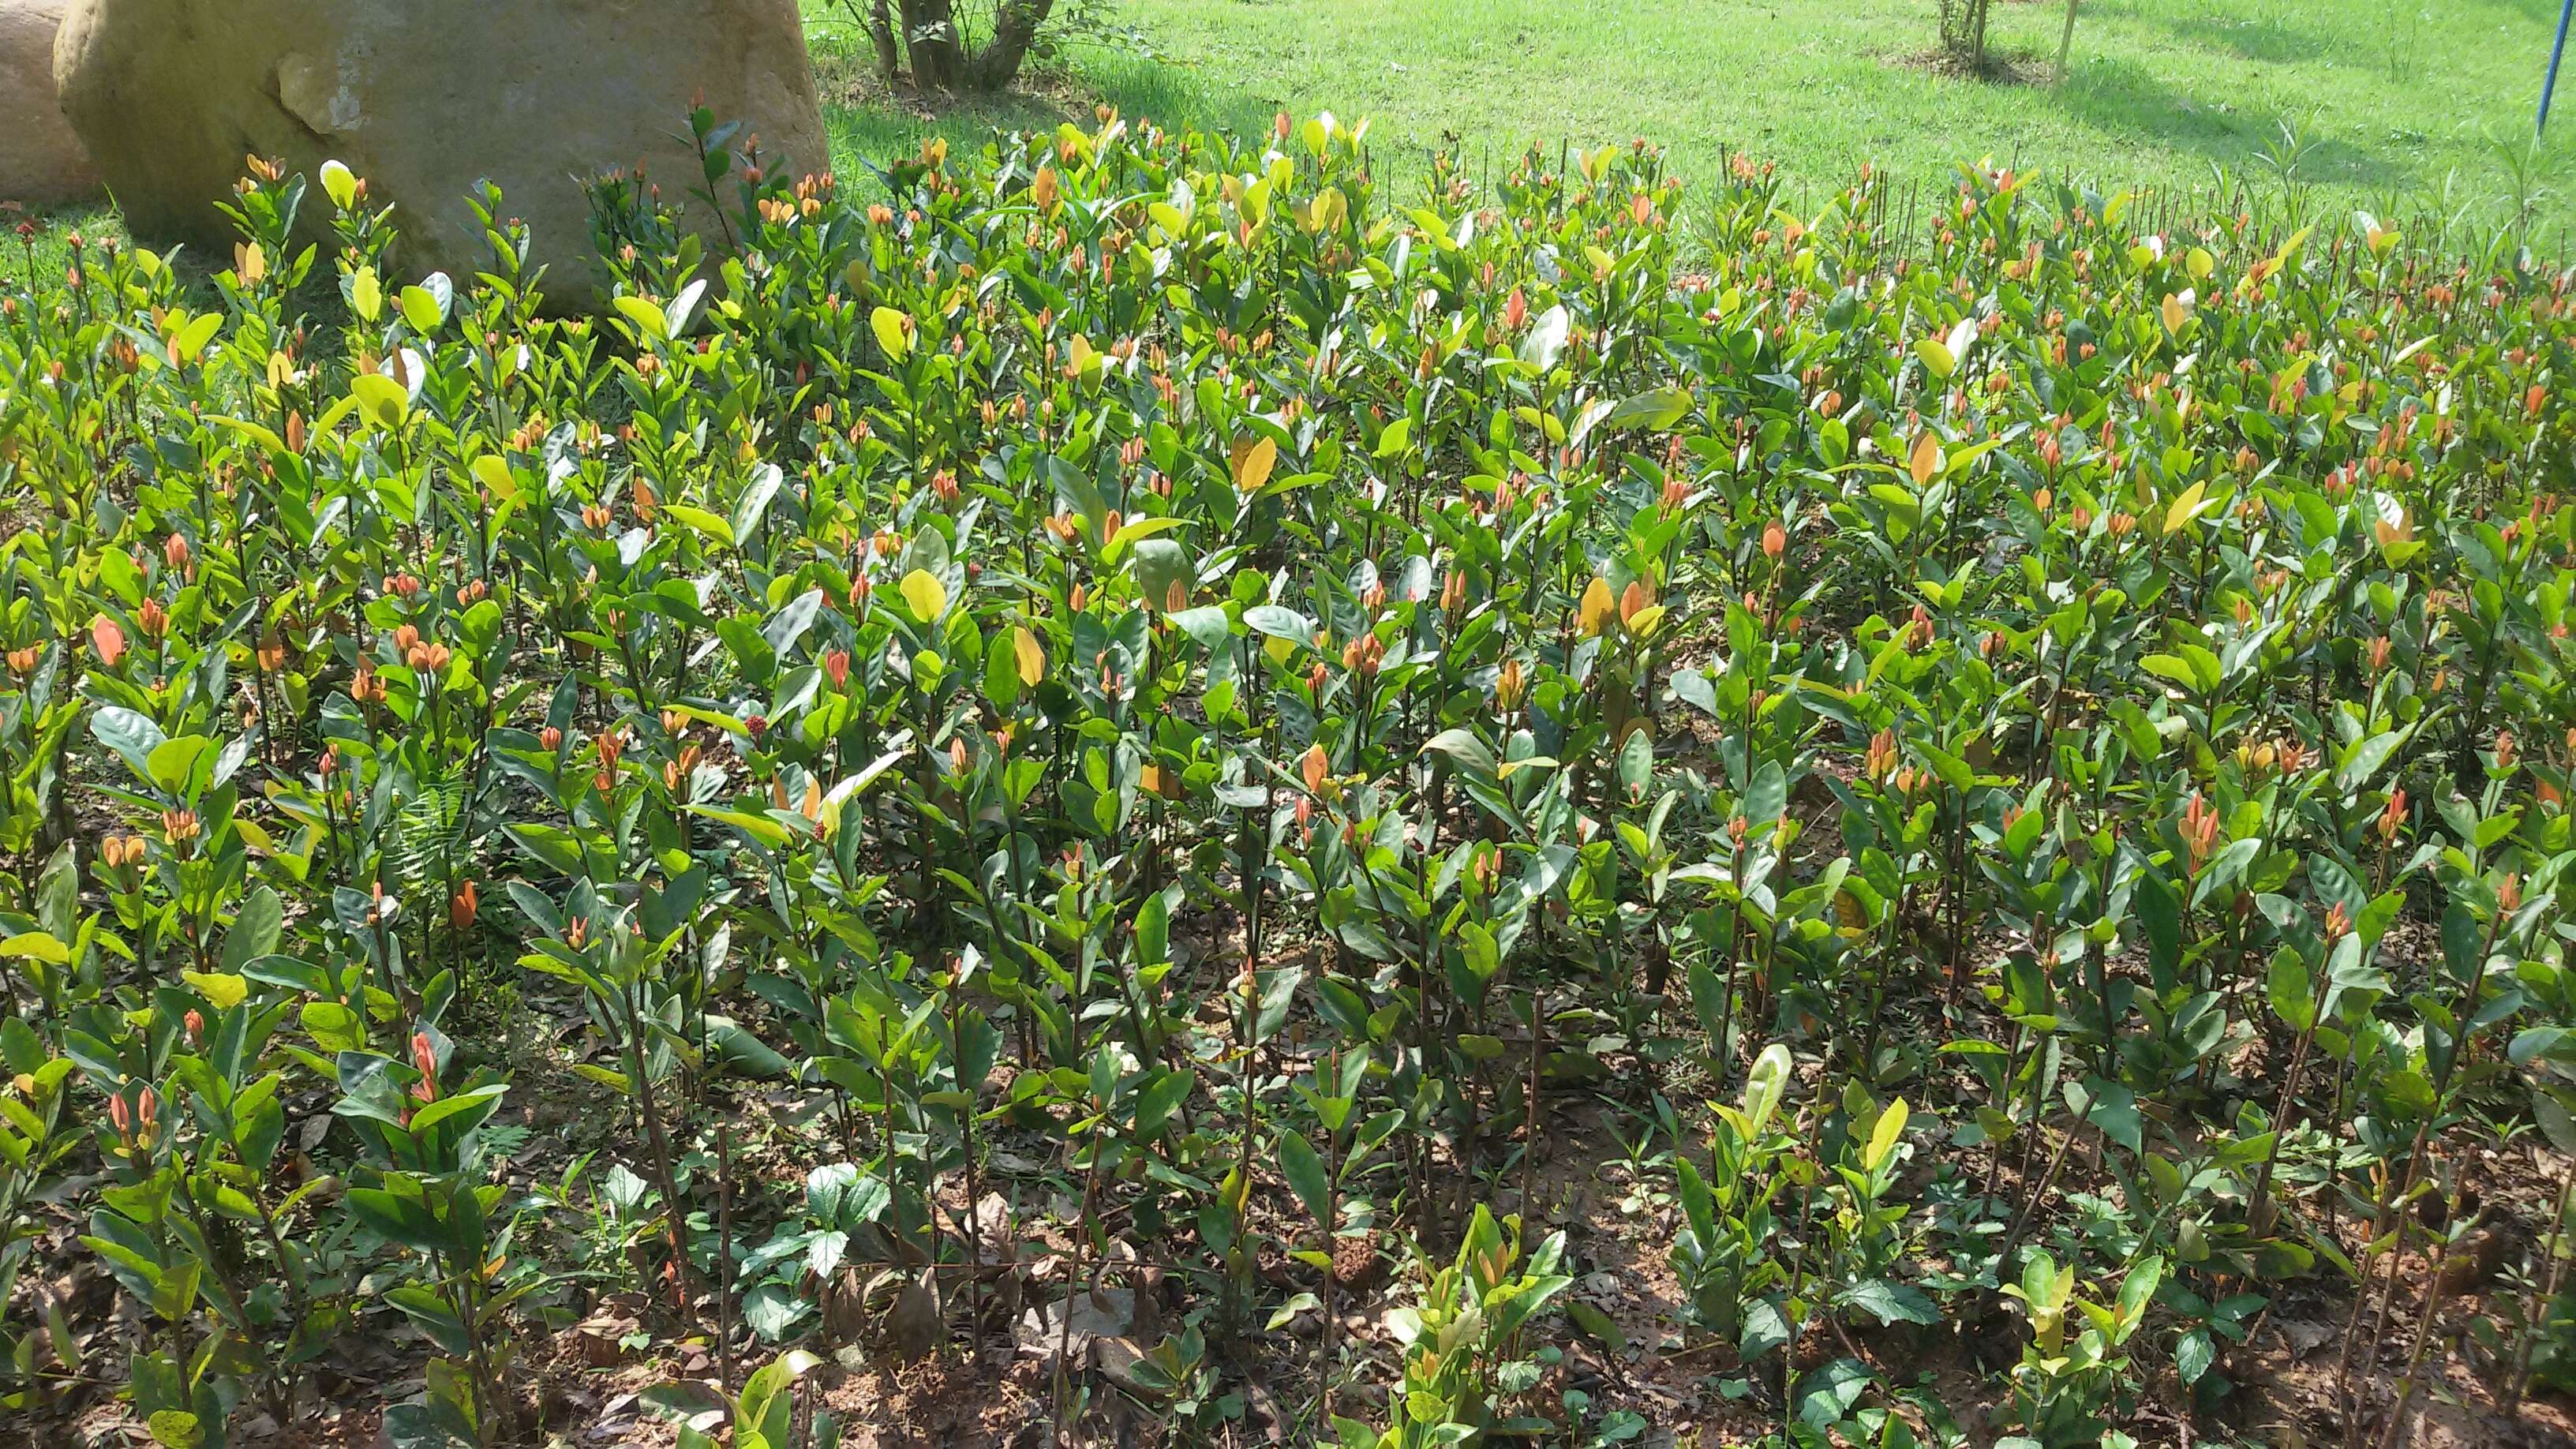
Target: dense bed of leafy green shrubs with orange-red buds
1155 754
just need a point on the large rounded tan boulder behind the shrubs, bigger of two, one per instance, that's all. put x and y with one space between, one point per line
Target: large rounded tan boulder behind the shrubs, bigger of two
424 99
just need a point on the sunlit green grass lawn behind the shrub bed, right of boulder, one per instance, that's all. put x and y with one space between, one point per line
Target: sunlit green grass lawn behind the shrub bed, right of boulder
2400 107
